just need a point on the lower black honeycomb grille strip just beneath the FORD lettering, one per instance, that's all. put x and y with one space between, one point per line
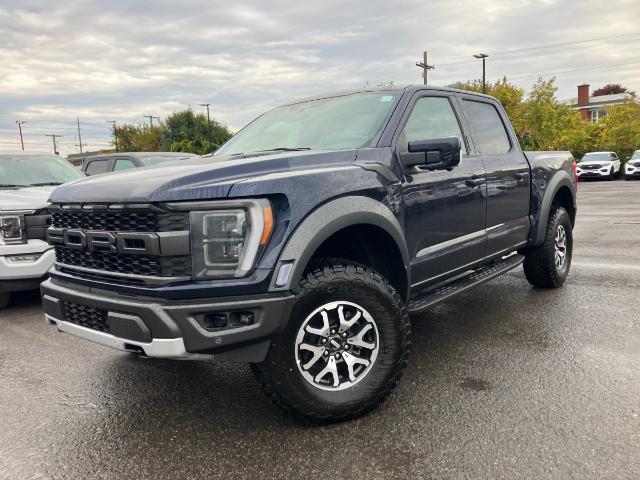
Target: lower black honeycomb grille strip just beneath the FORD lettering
129 264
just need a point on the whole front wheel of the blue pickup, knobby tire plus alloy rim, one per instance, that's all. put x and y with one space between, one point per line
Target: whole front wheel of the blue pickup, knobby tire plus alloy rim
344 348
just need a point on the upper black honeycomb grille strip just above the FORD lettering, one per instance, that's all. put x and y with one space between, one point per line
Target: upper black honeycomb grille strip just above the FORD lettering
122 221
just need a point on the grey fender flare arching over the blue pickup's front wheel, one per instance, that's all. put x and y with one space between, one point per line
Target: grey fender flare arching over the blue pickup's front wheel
328 219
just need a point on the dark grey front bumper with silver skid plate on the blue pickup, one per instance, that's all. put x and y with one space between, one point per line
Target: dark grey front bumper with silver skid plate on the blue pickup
166 329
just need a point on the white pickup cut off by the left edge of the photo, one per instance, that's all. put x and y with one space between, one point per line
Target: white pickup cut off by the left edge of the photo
26 181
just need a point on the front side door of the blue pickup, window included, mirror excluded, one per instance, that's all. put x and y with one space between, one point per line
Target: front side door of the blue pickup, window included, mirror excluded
445 210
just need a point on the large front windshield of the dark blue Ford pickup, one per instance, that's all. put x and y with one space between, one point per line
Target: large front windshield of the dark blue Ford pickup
336 123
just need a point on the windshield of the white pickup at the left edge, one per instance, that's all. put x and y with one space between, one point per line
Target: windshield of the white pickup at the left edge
35 170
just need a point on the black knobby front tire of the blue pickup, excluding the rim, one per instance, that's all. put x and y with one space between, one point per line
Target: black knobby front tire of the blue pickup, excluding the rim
338 280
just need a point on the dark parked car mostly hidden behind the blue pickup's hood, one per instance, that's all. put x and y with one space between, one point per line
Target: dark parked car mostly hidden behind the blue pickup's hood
114 162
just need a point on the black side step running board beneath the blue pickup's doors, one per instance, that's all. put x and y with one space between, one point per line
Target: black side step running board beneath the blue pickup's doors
443 291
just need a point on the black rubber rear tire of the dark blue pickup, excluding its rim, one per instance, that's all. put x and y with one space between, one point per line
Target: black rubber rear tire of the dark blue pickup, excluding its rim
539 263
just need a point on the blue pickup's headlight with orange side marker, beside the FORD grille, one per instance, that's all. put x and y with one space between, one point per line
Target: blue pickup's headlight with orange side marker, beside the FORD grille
226 242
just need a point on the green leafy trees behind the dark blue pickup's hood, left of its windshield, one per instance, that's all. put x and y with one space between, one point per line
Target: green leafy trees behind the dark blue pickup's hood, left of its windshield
181 132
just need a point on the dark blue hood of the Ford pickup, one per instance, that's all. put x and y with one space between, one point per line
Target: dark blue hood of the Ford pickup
205 178
